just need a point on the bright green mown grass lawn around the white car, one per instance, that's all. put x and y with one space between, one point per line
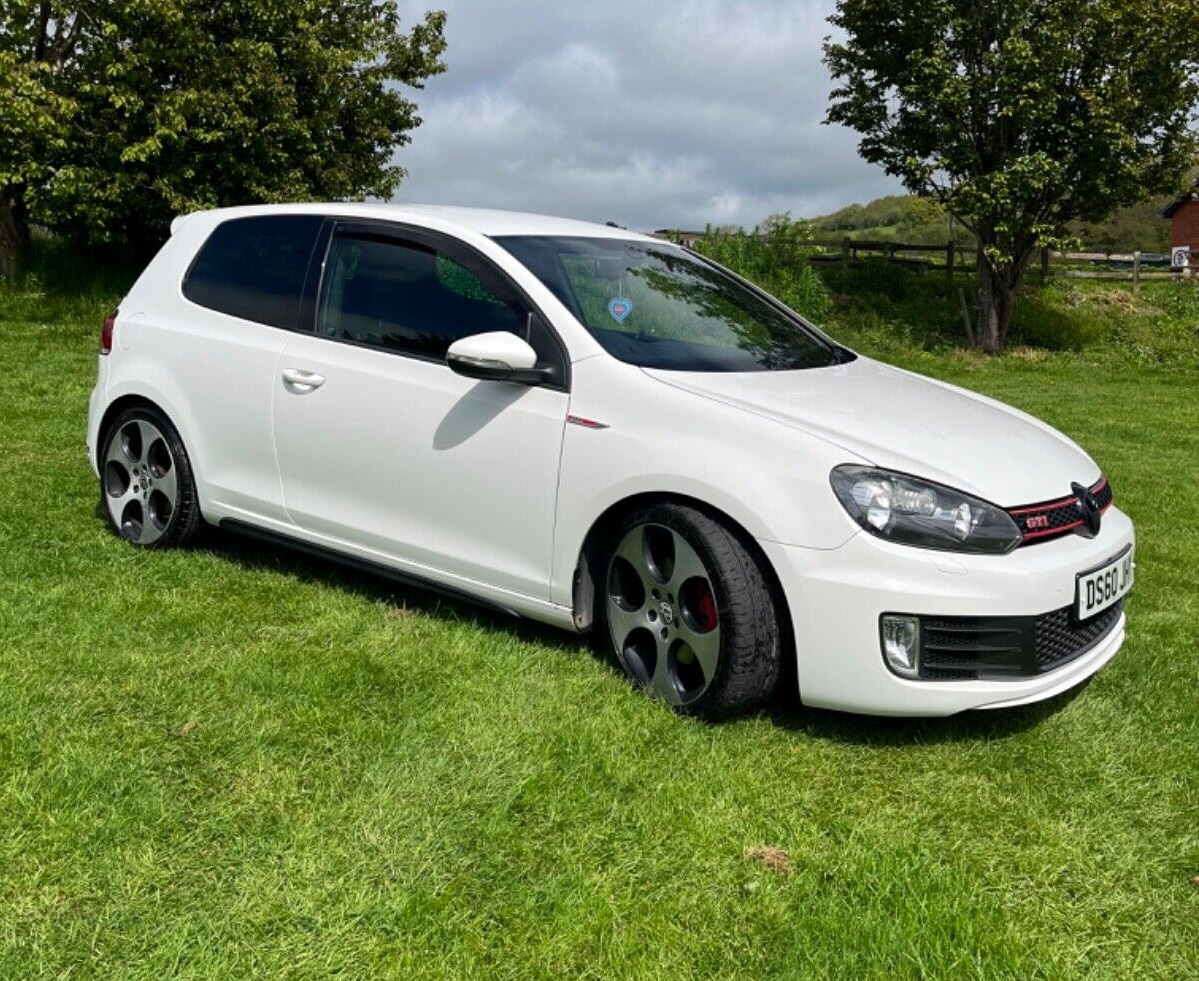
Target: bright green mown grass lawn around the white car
232 762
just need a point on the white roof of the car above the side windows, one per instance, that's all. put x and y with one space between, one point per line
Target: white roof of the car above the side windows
483 221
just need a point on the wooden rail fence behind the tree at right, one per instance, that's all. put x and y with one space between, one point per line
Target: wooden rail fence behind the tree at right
953 258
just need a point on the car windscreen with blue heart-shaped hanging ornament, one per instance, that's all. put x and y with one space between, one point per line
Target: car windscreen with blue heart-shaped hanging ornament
658 306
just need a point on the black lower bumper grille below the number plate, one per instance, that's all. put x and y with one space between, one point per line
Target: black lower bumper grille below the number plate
971 648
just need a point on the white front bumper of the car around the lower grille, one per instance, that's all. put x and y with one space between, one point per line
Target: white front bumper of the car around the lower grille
836 598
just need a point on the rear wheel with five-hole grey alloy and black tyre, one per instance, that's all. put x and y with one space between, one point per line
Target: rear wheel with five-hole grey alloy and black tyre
146 480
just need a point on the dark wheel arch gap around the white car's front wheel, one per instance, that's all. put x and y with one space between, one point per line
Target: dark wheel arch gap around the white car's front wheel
588 575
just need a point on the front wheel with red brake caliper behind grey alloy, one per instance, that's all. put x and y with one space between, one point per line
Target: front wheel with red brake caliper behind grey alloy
689 613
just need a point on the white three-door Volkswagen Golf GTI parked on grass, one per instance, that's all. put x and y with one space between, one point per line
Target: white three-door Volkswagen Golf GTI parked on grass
606 432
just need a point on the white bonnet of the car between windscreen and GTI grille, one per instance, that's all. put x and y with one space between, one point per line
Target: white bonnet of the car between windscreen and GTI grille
907 423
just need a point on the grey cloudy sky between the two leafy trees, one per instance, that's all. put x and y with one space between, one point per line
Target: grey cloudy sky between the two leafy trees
650 113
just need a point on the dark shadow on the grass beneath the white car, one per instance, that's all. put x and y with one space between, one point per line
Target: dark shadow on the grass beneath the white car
785 711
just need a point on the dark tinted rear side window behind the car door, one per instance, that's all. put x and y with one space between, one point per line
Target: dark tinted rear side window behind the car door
255 268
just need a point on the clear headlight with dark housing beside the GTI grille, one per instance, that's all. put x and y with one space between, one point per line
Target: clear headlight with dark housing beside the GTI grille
915 511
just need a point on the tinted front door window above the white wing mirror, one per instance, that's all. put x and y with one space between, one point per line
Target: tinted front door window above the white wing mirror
407 298
